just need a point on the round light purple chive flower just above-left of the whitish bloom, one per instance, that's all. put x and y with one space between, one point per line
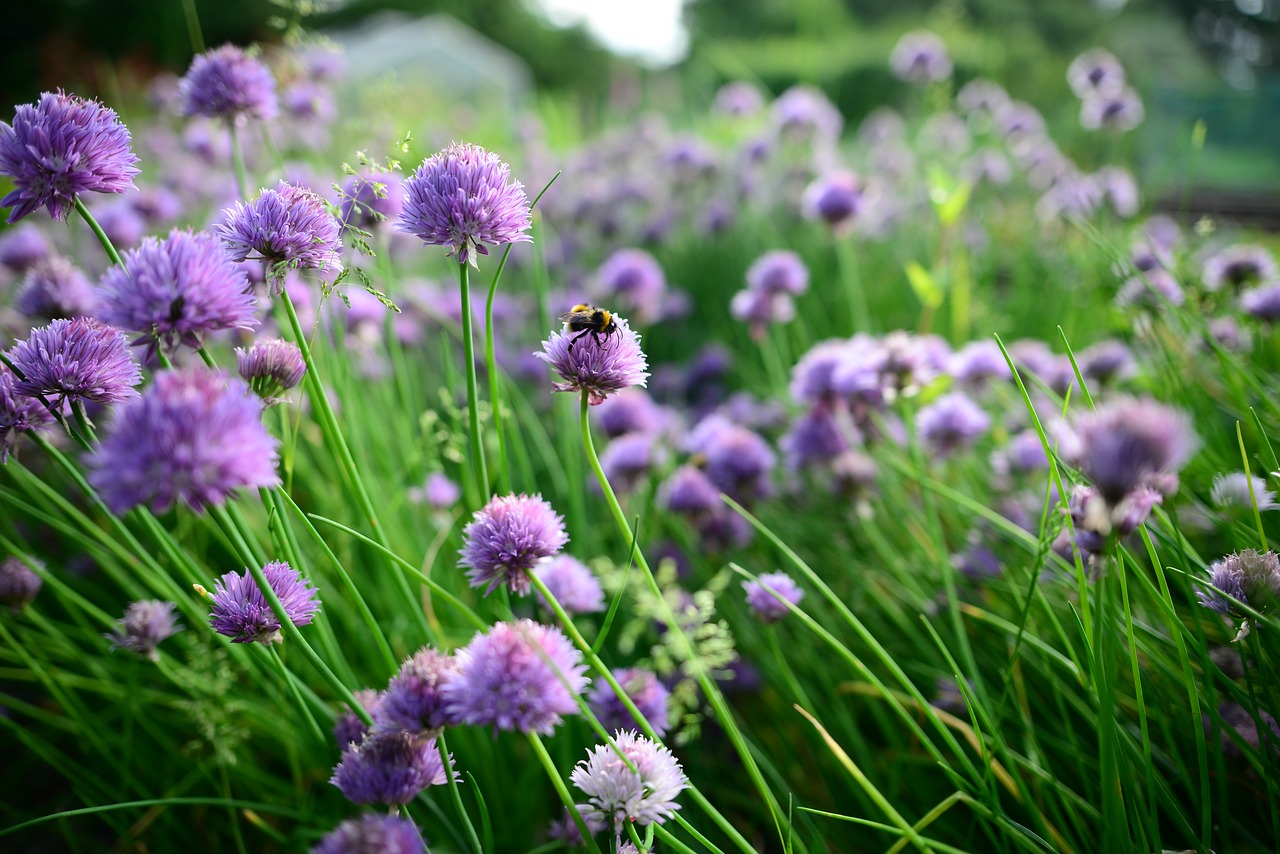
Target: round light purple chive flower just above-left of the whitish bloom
520 677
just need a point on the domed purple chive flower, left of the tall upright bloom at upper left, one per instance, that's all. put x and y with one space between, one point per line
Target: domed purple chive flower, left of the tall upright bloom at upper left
287 227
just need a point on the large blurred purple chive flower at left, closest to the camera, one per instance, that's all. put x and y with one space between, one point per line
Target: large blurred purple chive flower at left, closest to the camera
196 436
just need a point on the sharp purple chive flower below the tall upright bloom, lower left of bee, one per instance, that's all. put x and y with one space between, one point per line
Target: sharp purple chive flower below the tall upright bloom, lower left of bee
508 538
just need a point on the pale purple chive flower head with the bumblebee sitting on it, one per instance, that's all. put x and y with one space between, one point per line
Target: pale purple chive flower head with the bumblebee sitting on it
598 368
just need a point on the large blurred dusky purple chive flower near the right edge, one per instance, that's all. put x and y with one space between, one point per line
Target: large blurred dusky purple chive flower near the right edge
1130 444
